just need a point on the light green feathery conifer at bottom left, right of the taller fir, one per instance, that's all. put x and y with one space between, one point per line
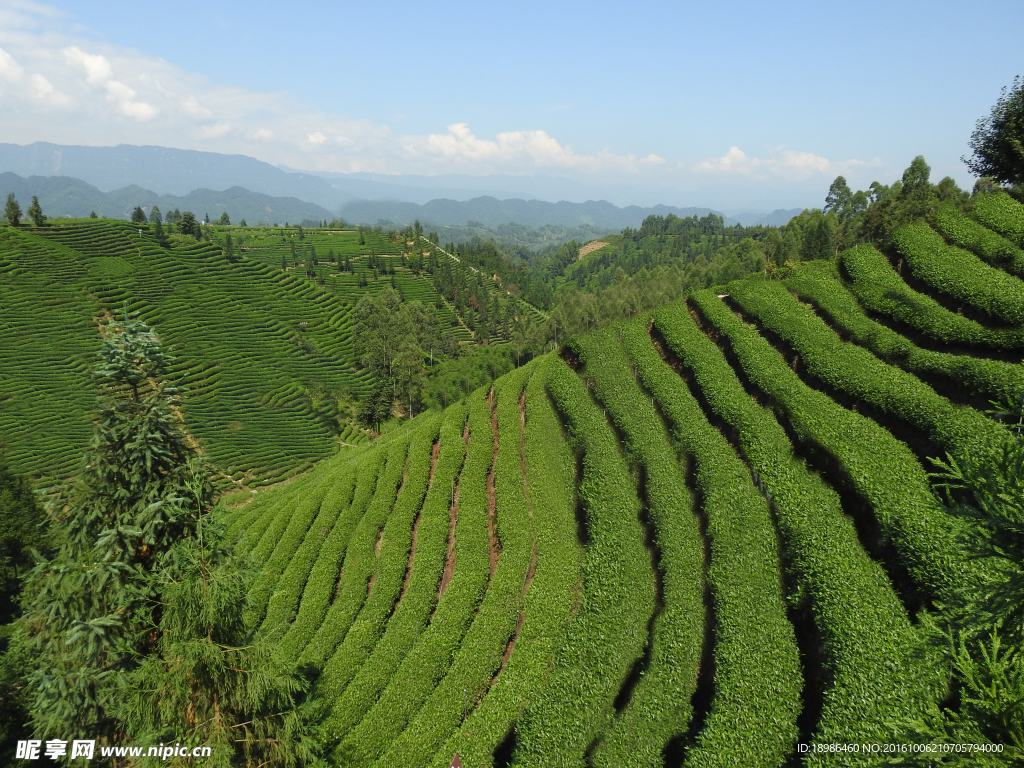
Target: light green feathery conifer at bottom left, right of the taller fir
210 677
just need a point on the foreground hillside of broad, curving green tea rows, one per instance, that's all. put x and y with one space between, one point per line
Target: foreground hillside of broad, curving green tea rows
698 539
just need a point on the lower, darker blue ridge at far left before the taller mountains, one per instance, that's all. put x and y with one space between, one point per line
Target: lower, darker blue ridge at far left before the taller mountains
63 196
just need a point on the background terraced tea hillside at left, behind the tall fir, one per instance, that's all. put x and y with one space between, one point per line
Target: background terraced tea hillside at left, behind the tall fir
255 347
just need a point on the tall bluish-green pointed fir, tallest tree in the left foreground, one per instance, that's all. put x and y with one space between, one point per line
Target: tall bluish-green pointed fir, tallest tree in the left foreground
91 609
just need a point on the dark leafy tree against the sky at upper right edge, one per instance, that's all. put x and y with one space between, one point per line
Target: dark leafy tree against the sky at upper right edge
998 142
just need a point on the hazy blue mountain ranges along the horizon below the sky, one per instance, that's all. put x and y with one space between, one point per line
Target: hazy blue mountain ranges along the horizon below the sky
112 181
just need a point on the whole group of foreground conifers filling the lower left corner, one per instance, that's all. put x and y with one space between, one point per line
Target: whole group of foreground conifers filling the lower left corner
133 624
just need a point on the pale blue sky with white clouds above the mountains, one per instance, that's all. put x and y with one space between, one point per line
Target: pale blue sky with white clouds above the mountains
765 103
